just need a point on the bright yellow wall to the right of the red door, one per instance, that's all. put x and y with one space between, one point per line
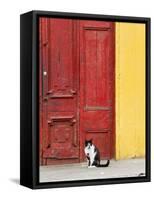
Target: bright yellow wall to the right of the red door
130 90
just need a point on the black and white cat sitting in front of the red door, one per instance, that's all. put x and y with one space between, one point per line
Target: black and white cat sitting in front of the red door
93 155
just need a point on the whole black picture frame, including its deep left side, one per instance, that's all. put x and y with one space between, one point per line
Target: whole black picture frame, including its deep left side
29 100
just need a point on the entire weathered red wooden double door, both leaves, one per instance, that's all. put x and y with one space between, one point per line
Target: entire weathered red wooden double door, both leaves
76 88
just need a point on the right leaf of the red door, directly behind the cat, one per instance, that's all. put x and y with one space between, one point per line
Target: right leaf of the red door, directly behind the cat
97 85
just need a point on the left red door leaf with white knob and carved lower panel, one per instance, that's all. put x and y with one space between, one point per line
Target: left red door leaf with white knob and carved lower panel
59 83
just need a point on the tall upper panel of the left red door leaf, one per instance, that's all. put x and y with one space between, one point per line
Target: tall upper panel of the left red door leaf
60 79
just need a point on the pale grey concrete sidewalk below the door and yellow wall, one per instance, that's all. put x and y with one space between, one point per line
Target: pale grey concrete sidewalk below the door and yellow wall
116 169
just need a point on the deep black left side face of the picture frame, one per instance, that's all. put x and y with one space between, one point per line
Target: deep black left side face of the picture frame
25 100
